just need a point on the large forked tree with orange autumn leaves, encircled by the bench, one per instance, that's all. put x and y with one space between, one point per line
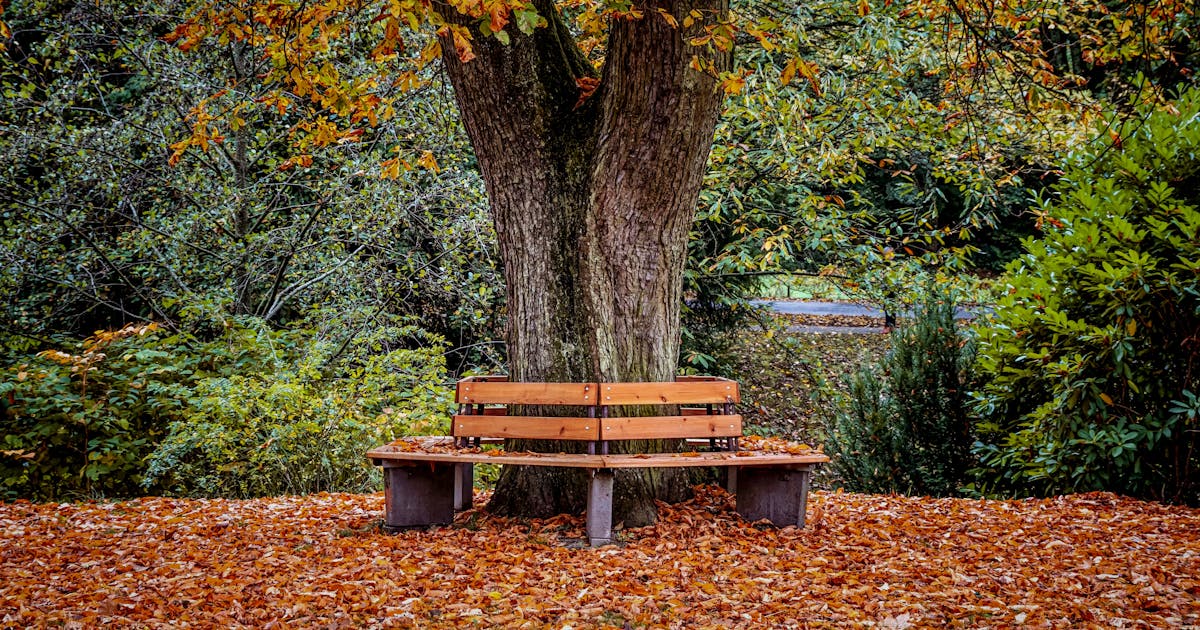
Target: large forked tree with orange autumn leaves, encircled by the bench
592 124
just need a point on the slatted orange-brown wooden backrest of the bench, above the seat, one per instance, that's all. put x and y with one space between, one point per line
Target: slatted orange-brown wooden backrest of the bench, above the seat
484 405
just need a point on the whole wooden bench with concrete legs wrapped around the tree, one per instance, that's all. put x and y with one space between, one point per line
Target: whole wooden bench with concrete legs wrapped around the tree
428 478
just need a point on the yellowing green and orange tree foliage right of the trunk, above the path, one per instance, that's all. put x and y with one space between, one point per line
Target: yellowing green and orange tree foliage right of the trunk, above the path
871 133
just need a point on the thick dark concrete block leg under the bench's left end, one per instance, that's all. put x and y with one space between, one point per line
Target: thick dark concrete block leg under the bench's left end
419 495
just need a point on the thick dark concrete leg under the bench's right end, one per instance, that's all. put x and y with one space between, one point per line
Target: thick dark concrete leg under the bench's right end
778 495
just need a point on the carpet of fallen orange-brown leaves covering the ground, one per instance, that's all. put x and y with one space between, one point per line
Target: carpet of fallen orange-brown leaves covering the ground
1088 561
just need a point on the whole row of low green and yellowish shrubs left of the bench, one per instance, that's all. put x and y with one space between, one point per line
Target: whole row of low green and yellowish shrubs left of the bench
143 410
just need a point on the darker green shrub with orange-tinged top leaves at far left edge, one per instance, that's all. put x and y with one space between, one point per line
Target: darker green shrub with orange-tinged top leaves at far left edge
80 423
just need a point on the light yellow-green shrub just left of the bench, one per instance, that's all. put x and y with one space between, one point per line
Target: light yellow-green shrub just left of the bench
298 427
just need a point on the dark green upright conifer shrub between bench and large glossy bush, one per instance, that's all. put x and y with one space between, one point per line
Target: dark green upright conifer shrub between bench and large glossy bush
904 425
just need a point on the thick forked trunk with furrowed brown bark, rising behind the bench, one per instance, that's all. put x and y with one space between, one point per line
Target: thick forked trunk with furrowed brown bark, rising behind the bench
592 205
